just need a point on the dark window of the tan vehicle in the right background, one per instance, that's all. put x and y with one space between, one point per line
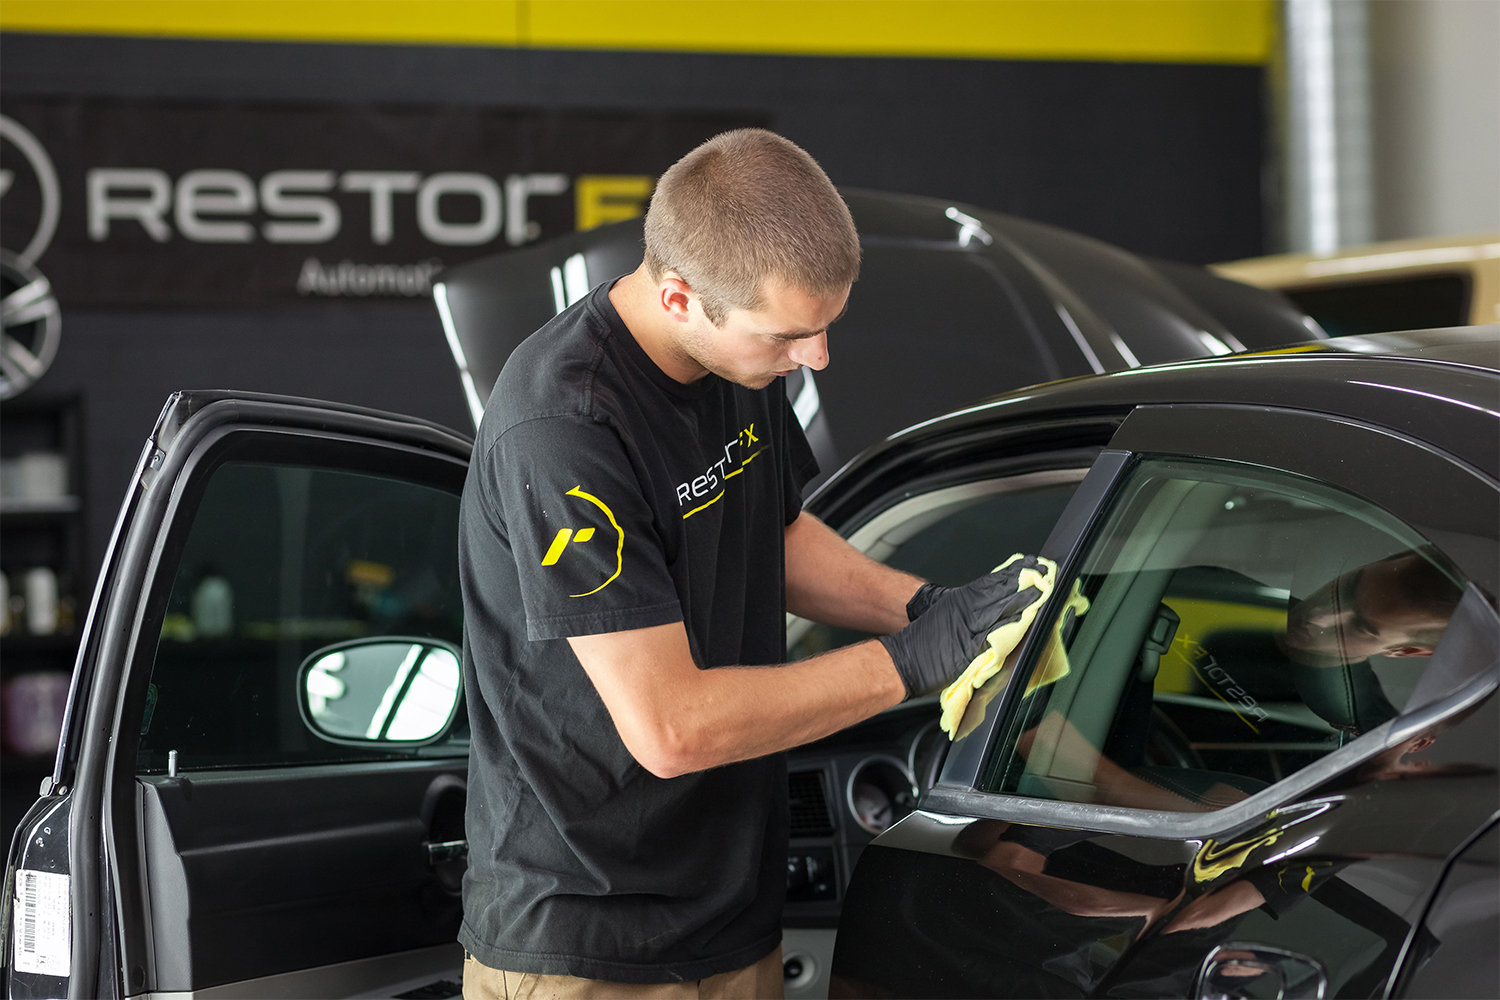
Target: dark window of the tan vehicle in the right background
1414 304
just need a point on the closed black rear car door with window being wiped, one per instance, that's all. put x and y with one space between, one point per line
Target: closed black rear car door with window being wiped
1193 779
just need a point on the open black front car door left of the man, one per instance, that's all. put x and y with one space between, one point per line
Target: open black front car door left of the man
260 789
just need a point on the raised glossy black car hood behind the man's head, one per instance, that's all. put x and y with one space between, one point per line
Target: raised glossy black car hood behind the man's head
953 305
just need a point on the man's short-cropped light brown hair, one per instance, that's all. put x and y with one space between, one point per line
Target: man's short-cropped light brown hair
745 206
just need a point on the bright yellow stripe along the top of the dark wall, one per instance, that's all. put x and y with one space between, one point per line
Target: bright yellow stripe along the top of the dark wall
1132 31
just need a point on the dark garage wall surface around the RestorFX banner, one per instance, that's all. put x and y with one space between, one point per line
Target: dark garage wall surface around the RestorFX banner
1157 154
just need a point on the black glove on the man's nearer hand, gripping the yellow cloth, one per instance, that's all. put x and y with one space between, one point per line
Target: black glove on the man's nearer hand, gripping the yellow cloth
953 629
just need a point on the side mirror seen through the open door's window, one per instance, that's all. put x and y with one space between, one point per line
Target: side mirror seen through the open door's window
385 690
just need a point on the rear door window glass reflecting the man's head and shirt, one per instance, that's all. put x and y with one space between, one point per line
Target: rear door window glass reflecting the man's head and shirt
1229 627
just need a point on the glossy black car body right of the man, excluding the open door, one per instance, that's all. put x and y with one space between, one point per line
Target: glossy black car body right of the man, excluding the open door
1225 764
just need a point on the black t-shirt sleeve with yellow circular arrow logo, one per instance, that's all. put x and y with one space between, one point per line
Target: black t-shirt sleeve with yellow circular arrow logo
581 531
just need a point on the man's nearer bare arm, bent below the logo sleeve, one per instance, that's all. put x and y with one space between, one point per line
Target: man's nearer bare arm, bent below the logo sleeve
676 719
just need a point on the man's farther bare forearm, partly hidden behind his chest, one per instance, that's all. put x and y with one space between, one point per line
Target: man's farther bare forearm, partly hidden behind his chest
830 581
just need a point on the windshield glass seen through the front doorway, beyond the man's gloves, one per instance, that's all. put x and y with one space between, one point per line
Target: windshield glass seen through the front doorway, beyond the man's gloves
955 542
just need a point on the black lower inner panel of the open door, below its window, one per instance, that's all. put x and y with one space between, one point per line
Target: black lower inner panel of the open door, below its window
290 869
